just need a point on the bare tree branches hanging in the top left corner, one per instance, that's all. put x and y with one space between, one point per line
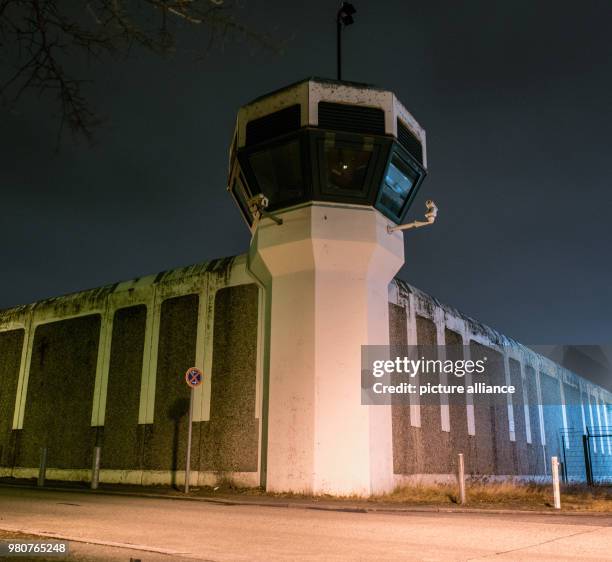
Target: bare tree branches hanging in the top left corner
37 35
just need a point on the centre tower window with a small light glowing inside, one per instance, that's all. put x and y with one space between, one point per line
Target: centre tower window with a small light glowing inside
346 168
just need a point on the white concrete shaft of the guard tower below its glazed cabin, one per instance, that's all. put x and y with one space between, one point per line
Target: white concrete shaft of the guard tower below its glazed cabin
330 267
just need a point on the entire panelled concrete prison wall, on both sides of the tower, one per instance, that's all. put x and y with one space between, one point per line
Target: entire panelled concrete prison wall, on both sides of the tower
105 367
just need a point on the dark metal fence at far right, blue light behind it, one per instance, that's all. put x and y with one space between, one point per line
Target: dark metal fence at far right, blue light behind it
586 457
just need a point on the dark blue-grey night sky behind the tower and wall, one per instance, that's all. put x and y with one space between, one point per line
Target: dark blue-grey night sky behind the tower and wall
516 100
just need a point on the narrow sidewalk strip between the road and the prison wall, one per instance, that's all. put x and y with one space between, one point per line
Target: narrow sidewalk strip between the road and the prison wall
261 499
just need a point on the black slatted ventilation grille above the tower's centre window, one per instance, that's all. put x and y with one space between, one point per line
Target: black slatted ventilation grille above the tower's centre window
351 118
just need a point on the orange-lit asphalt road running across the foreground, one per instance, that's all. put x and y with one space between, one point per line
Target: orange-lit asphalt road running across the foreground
105 527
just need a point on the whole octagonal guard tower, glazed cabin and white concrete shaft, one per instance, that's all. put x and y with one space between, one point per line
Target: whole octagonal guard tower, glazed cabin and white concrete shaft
320 171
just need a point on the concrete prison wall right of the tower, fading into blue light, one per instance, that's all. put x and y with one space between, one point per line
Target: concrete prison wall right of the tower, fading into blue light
508 440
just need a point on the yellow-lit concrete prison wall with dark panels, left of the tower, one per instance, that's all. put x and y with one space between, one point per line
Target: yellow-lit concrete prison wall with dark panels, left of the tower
106 367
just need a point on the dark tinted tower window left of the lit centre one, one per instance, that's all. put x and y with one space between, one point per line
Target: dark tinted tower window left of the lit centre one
278 171
